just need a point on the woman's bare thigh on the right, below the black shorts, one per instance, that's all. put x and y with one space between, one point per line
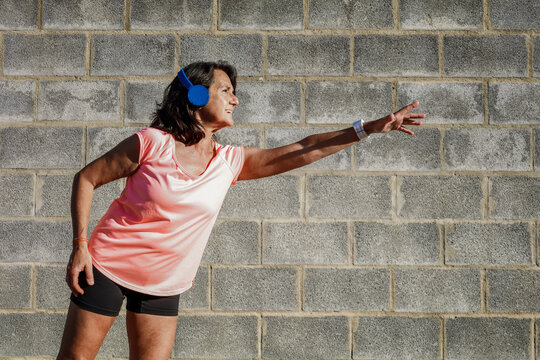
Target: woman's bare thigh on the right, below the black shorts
150 336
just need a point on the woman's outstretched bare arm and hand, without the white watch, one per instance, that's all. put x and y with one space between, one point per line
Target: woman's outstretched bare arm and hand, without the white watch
266 162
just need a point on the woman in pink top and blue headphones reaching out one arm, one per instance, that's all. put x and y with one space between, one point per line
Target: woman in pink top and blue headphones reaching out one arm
149 244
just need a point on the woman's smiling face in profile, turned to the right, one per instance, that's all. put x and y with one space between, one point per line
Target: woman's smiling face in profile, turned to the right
217 114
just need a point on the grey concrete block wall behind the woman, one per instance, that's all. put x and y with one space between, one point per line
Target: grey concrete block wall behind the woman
401 247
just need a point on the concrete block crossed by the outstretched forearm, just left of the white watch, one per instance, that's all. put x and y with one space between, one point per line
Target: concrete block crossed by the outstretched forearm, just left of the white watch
276 137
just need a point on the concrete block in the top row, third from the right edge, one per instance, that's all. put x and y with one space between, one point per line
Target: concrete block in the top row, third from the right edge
356 14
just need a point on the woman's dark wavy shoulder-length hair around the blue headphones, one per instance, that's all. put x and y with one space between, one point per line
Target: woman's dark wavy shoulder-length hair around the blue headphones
175 114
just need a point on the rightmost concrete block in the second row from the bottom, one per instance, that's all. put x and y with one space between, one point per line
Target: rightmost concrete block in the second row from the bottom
513 290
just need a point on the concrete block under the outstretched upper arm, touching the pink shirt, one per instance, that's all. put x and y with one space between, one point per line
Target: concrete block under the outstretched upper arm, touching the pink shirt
274 197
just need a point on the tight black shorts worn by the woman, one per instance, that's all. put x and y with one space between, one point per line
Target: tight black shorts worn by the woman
106 297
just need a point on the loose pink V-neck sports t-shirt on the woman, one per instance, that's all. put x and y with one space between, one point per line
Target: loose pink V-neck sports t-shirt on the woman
152 237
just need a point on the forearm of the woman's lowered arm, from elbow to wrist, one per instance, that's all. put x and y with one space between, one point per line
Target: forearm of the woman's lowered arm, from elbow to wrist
81 201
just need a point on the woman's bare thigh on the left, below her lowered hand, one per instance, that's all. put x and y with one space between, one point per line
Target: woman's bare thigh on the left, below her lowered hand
83 333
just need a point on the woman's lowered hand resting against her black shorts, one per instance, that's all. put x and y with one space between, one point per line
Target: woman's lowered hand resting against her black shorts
80 260
